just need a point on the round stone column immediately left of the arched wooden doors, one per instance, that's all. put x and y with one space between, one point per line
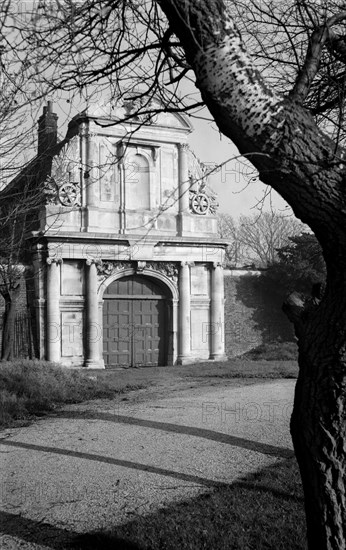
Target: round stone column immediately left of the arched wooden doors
93 329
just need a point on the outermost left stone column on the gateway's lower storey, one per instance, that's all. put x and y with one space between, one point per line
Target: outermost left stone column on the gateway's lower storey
53 310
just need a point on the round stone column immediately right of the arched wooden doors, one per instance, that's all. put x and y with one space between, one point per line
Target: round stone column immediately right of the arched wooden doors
184 328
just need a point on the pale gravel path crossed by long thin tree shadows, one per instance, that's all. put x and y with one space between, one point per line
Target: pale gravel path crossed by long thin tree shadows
93 464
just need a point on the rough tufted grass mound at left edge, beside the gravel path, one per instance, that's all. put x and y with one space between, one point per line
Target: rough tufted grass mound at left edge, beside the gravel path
31 388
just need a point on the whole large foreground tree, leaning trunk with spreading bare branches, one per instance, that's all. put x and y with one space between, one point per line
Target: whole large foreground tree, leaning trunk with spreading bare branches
287 118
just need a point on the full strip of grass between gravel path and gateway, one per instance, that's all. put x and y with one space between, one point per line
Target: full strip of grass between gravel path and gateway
31 388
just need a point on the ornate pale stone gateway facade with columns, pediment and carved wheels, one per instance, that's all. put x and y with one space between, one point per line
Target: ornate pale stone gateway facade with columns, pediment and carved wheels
127 260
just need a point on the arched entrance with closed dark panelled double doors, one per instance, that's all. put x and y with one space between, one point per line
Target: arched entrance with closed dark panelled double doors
135 322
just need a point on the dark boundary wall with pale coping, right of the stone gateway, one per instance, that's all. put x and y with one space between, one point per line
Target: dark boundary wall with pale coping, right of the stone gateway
253 314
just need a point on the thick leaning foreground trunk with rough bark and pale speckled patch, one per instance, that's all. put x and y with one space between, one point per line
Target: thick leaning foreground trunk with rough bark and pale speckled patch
292 155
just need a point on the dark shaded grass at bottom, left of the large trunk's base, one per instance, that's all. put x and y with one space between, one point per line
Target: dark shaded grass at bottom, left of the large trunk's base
262 511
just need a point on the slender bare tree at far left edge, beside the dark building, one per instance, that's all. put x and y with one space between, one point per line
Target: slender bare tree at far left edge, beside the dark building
16 147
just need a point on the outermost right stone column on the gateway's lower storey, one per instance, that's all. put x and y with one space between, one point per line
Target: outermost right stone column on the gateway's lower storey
217 350
